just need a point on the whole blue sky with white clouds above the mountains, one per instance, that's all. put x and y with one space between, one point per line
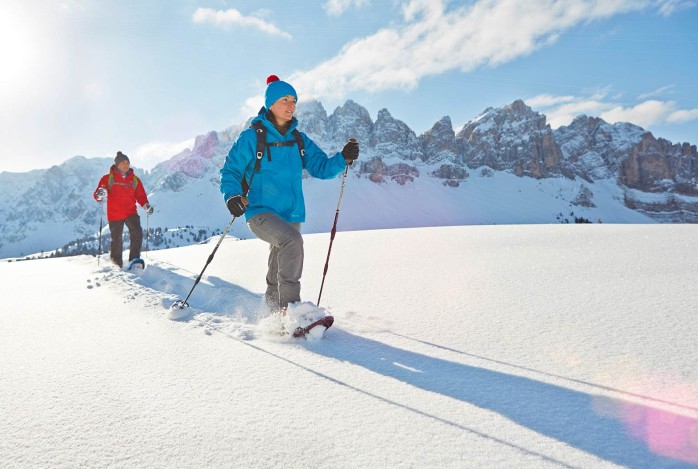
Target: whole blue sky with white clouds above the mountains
90 77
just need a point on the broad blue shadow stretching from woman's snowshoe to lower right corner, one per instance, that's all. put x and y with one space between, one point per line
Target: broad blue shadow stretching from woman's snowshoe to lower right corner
613 429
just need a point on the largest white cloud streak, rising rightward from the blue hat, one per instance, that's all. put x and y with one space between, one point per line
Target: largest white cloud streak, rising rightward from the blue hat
434 39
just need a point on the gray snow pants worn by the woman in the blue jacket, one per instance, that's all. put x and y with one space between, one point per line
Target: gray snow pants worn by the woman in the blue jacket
285 258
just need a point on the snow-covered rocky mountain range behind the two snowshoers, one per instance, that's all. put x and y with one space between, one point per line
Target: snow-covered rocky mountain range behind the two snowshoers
507 165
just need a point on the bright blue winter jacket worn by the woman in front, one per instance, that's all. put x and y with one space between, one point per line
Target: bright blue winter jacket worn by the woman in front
277 187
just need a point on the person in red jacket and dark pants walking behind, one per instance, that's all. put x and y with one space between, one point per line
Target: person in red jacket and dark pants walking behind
123 189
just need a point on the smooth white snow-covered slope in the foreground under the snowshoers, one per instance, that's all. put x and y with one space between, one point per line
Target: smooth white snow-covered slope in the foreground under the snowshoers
484 346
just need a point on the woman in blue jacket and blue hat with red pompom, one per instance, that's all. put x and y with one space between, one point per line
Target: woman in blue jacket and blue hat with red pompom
274 204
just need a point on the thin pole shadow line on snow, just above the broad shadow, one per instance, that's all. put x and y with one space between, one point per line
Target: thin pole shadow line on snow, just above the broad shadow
532 370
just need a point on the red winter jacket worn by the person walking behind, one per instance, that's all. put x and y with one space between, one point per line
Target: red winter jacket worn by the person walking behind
123 194
